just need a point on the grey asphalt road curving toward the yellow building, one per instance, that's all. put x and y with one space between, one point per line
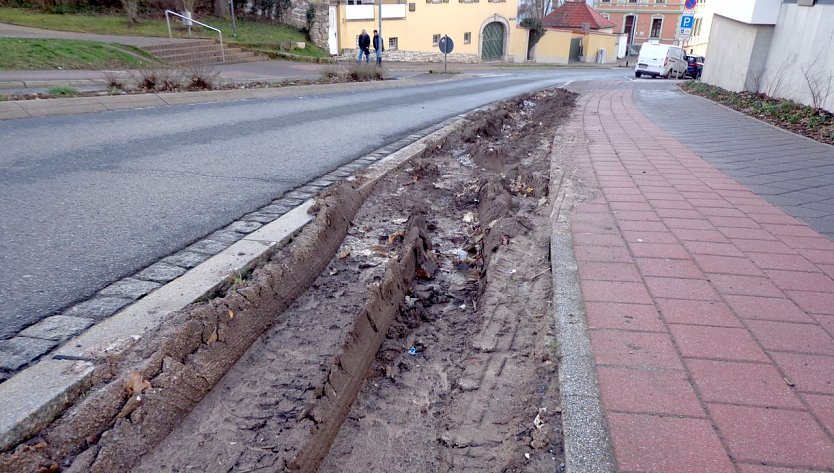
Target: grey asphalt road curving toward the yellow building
89 199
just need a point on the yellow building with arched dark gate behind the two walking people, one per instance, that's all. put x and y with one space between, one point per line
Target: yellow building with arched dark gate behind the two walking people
481 29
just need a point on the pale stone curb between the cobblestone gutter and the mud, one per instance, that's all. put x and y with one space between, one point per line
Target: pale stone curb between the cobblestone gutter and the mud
37 395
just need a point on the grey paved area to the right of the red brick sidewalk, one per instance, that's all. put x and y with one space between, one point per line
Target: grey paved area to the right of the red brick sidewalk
790 171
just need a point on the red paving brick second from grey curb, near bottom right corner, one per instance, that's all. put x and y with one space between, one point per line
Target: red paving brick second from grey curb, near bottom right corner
783 437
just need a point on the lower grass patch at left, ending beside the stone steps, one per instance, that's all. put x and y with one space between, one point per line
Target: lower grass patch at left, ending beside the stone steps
20 53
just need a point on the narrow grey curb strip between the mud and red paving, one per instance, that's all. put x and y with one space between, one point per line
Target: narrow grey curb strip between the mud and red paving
586 437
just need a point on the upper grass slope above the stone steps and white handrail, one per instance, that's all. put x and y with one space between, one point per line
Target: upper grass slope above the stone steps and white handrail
248 32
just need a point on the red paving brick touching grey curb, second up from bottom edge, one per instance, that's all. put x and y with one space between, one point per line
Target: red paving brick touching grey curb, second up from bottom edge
648 391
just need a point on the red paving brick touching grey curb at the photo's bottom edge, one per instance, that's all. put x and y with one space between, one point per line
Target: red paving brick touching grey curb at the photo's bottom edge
666 444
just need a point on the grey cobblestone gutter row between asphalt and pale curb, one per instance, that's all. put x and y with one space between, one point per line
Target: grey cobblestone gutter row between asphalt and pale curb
41 338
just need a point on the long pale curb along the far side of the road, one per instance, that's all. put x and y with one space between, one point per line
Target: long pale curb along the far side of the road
68 106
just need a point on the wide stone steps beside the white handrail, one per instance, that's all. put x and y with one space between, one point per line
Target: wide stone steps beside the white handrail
201 52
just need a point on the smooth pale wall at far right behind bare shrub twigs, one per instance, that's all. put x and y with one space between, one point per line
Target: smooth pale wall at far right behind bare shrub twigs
803 41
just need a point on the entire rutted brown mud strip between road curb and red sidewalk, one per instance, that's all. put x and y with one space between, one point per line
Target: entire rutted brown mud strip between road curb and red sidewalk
416 335
